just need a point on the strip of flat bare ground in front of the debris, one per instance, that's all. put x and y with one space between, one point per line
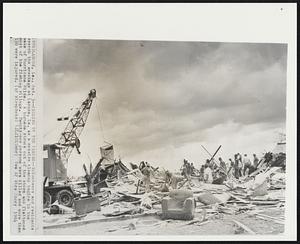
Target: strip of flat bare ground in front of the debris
220 224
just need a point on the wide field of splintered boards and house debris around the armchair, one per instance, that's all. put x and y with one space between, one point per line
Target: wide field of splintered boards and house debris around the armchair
172 197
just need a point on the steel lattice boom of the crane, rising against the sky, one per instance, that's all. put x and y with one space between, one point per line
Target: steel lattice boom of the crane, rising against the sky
70 136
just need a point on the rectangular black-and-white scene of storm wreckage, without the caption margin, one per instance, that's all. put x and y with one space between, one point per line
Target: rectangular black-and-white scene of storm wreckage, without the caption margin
164 138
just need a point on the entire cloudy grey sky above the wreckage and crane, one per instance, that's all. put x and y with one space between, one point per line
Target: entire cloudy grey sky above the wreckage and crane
160 101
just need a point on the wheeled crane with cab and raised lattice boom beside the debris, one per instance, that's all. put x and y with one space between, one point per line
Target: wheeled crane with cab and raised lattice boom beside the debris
56 157
